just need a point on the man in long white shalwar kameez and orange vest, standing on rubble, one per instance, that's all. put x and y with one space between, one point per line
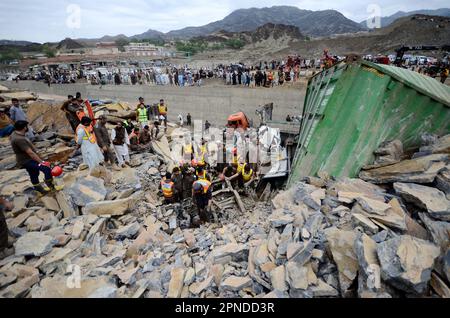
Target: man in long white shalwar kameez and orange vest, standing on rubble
92 155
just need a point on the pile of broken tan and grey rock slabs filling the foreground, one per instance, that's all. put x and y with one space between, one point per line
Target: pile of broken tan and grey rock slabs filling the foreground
108 235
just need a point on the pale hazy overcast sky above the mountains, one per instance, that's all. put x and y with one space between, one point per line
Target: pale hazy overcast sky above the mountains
54 20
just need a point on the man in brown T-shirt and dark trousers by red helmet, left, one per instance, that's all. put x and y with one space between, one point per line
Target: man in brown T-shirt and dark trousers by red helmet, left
27 158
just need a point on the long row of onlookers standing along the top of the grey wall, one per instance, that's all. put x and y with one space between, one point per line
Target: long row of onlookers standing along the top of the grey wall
264 74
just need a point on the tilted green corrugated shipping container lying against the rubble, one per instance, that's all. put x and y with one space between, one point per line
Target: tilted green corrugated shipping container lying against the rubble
350 109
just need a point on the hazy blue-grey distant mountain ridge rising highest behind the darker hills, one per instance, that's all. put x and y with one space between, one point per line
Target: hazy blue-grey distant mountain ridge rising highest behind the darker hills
312 23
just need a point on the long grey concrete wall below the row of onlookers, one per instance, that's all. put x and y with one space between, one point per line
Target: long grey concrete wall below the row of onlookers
213 103
